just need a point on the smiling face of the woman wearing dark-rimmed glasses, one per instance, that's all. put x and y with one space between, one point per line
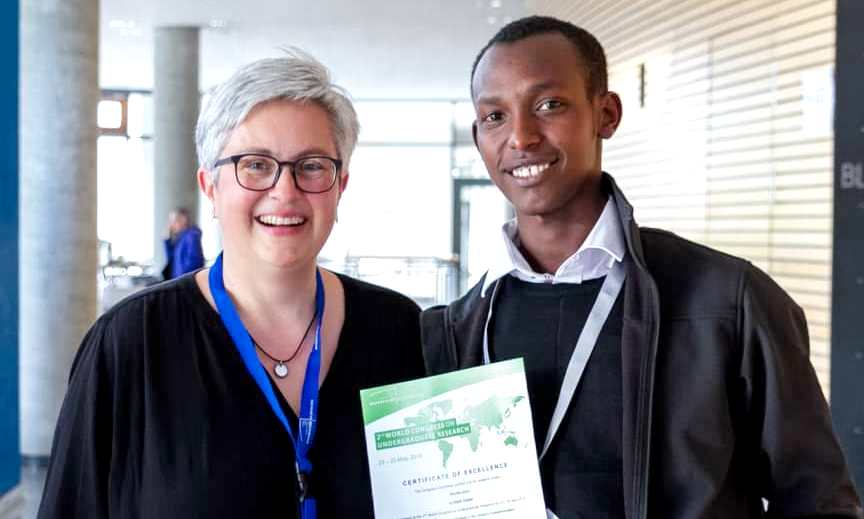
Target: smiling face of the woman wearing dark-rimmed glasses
273 220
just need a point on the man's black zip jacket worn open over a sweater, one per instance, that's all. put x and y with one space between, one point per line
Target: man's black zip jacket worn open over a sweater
722 407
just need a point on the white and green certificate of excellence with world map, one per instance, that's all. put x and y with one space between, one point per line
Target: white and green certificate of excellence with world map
458 445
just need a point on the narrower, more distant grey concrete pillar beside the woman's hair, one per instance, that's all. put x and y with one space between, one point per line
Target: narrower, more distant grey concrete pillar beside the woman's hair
175 101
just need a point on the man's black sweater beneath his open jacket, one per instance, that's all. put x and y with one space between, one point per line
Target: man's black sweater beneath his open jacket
582 471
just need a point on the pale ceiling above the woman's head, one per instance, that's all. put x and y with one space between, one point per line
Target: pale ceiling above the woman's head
377 49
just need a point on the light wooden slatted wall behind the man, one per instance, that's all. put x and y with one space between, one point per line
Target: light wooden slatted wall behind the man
725 150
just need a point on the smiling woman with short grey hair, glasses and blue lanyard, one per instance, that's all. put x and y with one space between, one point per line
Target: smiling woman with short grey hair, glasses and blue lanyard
233 391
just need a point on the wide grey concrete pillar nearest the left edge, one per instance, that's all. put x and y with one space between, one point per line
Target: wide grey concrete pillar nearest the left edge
59 93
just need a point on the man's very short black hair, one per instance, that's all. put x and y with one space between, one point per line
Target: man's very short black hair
589 48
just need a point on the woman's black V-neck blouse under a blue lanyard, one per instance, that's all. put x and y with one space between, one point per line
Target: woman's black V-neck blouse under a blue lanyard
162 420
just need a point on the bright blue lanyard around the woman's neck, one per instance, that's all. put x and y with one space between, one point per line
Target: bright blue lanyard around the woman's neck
309 400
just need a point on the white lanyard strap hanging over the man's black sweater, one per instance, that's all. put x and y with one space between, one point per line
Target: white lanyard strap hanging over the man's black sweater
584 345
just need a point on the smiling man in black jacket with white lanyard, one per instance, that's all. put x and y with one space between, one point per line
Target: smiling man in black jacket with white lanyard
667 380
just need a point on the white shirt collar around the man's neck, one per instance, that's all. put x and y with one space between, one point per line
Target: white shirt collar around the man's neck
603 246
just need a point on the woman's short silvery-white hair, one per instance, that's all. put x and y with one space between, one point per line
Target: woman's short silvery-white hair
296 76
